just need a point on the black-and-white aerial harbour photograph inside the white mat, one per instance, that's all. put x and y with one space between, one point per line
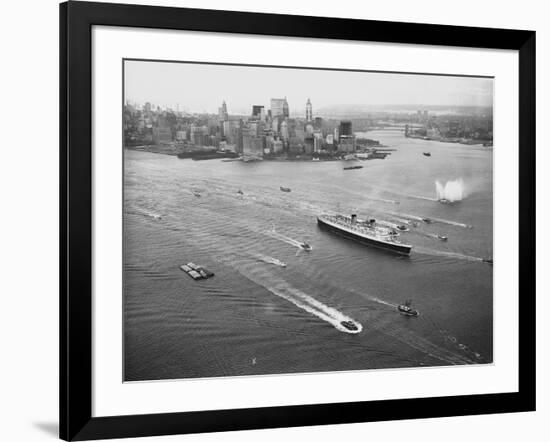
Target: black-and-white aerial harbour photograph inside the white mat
284 220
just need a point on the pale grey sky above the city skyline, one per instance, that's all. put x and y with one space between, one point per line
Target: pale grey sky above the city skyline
202 87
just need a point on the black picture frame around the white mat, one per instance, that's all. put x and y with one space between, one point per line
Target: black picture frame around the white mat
76 21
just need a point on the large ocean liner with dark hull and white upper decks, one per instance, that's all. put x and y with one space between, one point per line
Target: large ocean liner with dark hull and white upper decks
364 231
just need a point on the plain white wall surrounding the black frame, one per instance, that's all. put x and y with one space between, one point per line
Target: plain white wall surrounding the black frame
29 218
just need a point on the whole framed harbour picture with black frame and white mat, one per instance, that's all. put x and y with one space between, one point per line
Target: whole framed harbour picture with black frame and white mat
272 221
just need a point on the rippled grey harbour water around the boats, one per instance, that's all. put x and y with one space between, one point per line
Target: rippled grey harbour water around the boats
257 316
